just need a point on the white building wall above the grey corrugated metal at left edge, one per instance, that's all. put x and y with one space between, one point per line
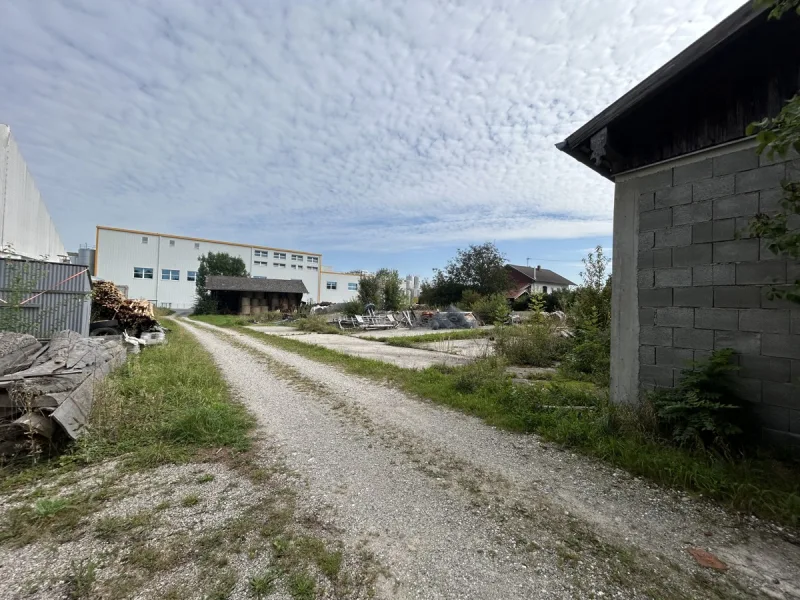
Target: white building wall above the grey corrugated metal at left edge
26 228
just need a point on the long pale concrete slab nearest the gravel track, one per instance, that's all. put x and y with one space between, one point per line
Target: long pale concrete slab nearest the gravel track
408 358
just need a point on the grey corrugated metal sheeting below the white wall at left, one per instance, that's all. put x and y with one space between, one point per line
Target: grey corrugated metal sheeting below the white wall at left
65 303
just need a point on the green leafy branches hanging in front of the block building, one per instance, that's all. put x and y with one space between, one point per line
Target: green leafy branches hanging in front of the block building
779 135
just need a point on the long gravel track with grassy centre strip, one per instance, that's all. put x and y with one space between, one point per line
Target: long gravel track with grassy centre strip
453 508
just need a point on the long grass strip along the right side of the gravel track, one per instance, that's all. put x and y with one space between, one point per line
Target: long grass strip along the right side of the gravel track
758 484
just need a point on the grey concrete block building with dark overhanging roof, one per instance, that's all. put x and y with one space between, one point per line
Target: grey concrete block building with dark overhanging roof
688 278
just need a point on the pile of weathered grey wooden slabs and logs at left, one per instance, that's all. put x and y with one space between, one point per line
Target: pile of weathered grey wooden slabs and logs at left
47 390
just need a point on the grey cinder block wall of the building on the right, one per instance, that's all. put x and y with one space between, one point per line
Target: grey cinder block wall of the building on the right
703 283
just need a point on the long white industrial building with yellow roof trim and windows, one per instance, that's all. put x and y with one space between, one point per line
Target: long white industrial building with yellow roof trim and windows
162 268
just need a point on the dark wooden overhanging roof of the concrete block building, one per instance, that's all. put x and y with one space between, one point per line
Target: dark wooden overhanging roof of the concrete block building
742 70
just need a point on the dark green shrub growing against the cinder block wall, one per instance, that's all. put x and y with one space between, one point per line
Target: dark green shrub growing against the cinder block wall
704 410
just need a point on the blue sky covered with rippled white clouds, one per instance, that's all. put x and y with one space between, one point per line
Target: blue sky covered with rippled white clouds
379 133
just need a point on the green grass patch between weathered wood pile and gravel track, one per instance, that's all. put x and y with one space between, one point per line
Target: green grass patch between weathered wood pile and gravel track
164 405
